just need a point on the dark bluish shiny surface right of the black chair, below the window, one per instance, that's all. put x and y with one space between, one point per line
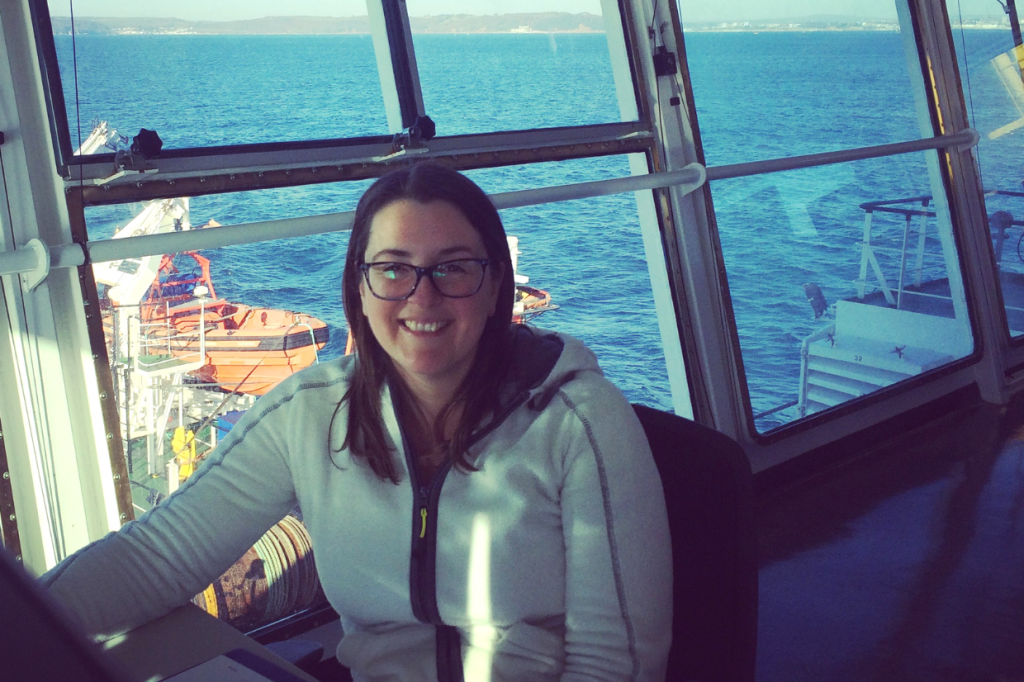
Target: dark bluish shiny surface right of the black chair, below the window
906 563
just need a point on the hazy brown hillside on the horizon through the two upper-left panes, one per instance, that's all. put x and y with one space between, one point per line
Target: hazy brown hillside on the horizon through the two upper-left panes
527 23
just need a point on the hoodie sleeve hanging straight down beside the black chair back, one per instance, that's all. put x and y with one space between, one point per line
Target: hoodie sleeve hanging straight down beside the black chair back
618 548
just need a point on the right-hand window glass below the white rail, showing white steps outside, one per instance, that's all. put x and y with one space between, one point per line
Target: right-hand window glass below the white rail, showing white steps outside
865 288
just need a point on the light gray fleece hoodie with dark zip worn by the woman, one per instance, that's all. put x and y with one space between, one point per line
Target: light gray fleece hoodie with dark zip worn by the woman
552 562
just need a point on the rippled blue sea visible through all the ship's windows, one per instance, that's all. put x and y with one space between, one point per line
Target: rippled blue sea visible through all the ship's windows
759 96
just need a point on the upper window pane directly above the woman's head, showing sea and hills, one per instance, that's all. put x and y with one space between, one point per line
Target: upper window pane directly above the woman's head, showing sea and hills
489 67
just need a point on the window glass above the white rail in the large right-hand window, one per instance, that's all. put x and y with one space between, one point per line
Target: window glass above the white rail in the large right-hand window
788 79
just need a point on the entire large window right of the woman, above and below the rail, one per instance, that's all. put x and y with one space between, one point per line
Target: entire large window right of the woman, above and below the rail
844 279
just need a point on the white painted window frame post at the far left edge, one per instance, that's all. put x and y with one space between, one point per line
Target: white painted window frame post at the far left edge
54 431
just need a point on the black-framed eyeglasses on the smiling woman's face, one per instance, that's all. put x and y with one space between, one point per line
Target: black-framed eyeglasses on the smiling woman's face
397 282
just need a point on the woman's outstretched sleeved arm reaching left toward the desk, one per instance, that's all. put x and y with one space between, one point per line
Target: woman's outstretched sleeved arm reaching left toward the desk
173 552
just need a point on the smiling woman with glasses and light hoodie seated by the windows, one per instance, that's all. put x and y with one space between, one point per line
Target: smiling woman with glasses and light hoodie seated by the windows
482 501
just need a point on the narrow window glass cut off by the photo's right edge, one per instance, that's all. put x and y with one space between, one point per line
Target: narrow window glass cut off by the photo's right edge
991 73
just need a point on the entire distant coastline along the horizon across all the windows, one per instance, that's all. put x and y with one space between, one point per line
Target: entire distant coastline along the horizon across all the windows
453 24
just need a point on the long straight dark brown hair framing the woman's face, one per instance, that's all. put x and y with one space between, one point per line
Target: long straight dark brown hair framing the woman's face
479 394
